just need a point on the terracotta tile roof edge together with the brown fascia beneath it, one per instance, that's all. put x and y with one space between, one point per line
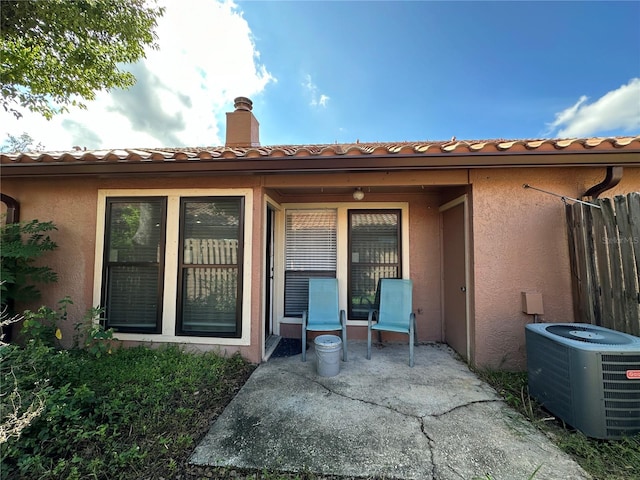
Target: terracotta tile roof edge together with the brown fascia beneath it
332 158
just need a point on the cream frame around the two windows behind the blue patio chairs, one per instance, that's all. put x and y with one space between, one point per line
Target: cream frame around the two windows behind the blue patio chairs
342 254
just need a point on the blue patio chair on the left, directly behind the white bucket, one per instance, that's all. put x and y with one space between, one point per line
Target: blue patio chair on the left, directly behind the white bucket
324 313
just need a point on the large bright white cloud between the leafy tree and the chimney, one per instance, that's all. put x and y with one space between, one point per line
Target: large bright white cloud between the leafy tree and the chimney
207 57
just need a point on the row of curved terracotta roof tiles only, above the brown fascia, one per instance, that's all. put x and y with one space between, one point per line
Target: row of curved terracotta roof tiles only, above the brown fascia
426 148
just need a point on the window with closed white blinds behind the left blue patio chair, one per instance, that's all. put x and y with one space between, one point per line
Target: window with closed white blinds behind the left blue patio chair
310 251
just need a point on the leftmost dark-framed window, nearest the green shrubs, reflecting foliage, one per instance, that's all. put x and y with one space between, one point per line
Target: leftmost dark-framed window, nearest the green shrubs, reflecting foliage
133 263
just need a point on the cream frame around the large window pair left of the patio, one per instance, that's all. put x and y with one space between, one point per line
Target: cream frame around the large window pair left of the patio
169 301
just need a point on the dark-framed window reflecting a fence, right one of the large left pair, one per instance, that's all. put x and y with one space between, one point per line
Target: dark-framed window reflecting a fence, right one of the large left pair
210 269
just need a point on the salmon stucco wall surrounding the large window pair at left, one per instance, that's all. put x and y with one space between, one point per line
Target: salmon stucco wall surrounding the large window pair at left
71 203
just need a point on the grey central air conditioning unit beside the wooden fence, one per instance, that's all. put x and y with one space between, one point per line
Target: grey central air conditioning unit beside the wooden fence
588 376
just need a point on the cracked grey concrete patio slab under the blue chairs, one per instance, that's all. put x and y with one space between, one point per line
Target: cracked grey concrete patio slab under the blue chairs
380 418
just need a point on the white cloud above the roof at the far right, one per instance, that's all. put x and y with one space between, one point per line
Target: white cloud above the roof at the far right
618 110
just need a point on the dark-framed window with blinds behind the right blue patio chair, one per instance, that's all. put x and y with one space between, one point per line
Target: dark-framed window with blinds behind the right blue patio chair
374 253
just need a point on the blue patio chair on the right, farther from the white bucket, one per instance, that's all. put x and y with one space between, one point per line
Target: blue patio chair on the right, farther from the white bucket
394 313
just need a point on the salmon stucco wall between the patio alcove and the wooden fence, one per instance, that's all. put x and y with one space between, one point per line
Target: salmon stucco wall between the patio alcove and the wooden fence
520 245
